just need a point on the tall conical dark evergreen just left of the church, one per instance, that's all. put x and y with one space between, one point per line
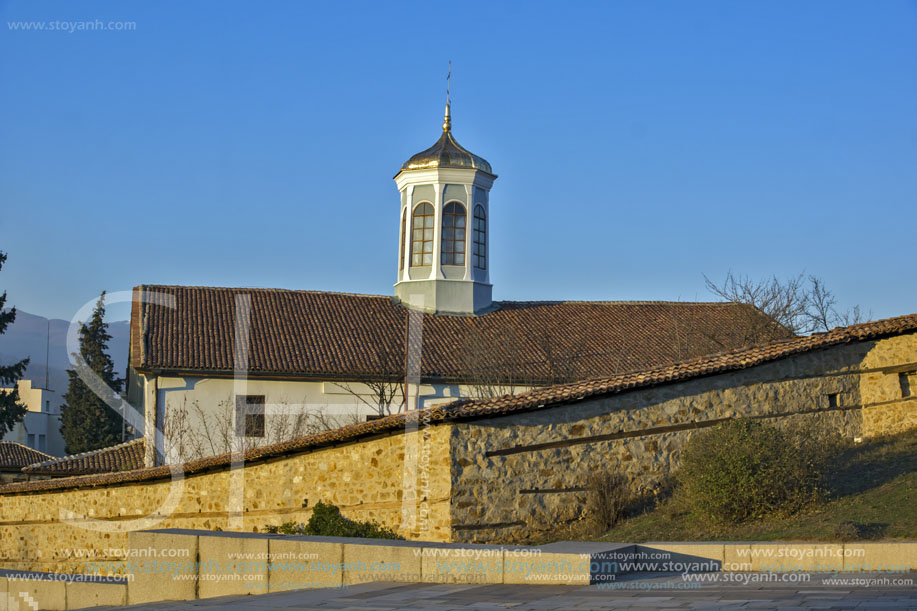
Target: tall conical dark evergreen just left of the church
88 423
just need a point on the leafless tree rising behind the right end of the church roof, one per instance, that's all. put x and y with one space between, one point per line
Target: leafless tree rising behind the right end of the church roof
800 304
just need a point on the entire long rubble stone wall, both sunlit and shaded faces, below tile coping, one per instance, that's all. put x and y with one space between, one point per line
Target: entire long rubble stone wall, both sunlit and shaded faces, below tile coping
510 478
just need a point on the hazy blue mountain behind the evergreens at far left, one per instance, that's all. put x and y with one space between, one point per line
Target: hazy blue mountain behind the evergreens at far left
29 337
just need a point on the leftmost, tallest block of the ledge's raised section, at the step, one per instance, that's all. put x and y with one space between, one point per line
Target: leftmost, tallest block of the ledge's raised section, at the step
165 566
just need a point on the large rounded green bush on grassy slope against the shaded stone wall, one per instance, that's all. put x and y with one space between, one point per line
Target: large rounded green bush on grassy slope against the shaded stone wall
743 469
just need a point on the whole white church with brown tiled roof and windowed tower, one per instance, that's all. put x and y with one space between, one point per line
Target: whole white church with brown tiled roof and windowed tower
208 365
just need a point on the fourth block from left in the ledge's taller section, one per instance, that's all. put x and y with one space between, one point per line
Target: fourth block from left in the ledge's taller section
365 563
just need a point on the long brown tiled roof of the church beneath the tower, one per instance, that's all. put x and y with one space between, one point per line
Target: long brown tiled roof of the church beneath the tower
320 334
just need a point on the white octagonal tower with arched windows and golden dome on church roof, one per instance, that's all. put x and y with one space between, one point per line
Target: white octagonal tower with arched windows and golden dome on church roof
444 247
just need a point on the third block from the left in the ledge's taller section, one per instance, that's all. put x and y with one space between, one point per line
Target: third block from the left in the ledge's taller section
298 564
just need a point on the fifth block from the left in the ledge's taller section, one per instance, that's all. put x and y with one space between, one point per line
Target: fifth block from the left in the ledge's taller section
469 565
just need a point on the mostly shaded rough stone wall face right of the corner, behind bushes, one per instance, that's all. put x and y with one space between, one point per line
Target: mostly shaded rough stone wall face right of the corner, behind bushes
526 476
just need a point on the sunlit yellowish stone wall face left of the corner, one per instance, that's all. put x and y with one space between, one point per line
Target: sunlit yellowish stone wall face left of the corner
367 480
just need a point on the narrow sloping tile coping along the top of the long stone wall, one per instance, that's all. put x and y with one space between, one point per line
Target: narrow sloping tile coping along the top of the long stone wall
536 399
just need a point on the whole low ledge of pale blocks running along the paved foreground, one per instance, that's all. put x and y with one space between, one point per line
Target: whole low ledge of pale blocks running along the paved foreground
180 564
